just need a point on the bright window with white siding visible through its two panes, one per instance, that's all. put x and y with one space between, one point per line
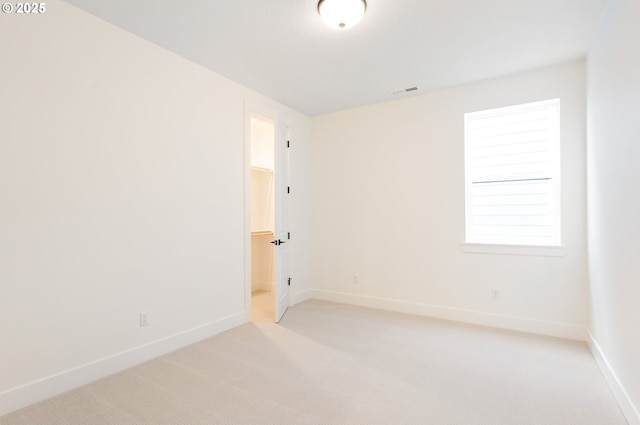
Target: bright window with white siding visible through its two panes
512 169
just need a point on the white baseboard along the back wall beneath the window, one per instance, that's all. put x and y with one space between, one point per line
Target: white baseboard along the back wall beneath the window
541 327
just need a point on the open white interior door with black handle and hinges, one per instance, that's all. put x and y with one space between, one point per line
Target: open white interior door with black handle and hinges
281 241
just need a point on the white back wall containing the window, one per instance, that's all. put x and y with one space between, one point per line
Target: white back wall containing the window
388 203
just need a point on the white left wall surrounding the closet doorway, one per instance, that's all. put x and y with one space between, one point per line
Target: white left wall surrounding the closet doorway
122 172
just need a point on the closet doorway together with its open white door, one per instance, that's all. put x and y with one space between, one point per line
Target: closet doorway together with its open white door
267 237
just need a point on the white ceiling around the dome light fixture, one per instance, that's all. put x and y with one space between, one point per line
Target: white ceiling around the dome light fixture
282 49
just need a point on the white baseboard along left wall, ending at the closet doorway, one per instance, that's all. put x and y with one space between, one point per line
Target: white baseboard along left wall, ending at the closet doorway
25 395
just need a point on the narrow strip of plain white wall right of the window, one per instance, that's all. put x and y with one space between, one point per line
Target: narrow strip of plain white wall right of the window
614 204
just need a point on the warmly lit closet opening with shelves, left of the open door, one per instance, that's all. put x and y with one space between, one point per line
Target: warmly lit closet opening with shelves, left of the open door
262 142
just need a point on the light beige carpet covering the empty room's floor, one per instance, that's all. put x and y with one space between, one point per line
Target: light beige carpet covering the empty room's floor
334 364
